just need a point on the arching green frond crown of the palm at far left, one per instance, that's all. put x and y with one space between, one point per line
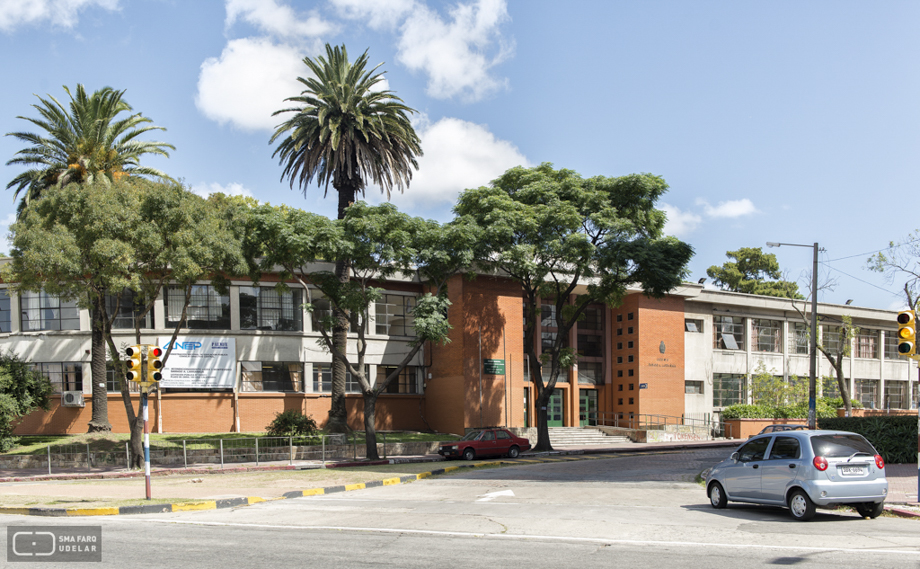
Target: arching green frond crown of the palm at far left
85 142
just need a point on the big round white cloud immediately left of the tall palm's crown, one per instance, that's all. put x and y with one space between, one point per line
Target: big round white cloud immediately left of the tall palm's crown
248 82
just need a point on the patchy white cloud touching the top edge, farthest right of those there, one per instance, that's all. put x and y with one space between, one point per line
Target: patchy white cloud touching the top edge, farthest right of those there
453 54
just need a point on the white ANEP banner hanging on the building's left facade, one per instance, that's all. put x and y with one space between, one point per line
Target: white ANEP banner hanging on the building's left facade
200 363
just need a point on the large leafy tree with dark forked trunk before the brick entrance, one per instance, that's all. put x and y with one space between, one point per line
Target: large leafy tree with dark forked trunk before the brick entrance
572 241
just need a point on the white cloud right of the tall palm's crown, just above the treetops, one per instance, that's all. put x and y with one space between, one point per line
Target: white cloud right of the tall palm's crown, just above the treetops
458 155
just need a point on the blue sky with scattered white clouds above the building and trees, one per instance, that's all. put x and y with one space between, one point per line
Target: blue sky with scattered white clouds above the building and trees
794 122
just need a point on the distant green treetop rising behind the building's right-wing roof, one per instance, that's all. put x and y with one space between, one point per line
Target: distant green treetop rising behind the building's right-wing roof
753 272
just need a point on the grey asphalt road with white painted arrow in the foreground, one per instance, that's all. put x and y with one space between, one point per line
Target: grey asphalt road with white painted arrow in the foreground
629 511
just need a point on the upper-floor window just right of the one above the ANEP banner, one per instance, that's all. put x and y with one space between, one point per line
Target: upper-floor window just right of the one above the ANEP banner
267 308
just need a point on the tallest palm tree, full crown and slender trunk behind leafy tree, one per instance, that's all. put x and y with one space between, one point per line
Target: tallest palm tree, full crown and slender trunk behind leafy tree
346 132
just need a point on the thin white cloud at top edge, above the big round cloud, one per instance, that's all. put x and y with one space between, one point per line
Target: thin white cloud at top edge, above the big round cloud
276 19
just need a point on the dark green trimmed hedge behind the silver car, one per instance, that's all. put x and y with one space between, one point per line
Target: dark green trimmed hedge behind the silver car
894 436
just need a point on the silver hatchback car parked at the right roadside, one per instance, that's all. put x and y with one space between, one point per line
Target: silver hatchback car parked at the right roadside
802 470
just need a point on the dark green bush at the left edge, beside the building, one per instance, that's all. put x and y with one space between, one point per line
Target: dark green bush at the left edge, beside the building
22 390
